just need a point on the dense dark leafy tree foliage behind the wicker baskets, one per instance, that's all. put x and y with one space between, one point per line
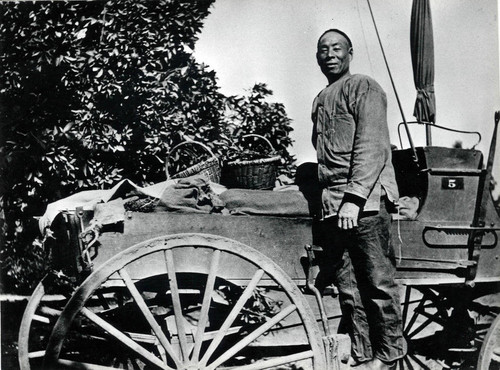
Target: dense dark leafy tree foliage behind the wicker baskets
93 92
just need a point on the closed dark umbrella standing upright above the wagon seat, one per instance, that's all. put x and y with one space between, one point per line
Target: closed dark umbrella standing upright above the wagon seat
422 55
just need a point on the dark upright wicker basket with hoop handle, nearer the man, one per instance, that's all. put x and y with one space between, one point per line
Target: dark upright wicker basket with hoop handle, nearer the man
252 174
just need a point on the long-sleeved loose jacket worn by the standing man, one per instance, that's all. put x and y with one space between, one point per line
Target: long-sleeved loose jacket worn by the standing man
351 138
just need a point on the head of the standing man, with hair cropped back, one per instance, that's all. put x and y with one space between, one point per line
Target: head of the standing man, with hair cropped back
334 54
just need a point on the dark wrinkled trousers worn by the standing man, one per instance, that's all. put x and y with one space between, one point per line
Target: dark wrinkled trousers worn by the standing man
361 263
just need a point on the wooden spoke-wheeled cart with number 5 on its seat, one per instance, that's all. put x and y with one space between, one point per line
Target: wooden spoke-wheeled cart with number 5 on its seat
207 291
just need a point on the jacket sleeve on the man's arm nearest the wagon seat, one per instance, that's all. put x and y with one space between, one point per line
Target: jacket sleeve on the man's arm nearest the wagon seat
371 148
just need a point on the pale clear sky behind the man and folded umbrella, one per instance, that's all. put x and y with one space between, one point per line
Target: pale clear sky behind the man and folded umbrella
274 41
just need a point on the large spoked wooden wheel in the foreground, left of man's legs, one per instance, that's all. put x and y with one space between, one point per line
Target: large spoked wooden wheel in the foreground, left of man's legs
172 321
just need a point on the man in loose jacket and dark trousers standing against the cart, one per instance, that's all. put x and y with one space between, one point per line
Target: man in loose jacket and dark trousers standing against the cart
351 138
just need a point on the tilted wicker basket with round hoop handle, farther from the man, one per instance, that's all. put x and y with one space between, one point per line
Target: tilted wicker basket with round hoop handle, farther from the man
209 168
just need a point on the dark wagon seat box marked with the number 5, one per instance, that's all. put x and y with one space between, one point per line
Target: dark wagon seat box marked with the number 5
445 183
